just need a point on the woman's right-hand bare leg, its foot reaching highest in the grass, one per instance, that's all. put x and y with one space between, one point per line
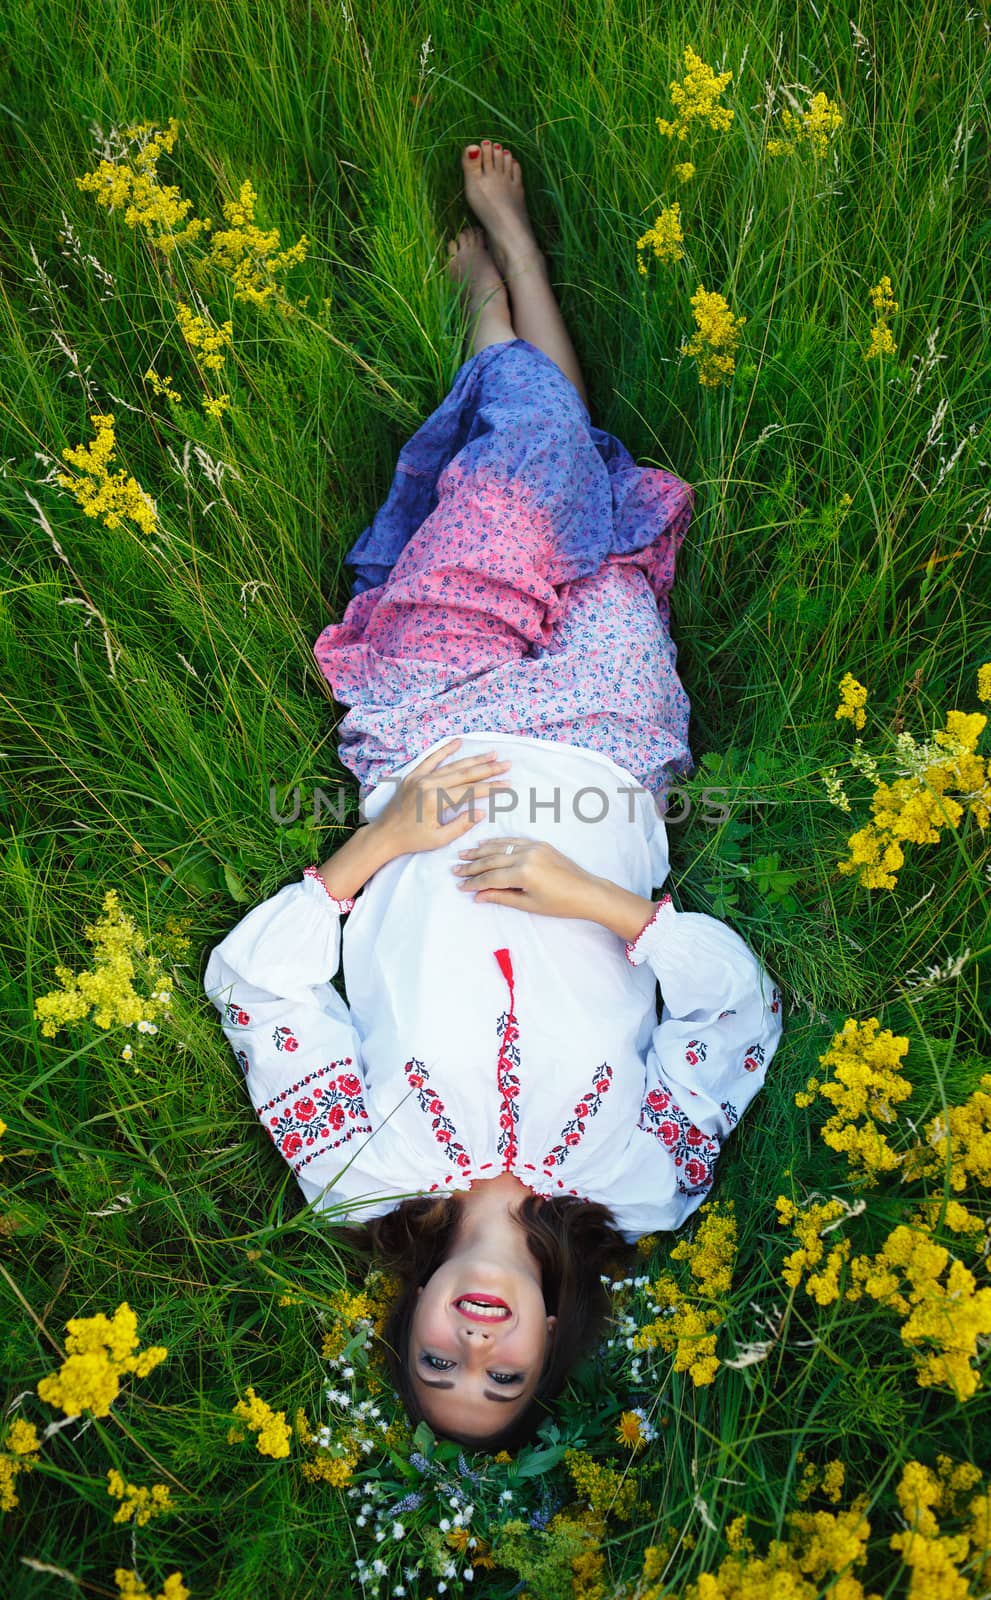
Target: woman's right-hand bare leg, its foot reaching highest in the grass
494 190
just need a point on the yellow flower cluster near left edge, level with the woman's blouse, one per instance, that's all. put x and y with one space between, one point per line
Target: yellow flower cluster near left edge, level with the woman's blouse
108 990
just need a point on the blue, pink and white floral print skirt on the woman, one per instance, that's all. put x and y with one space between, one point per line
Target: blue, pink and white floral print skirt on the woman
515 582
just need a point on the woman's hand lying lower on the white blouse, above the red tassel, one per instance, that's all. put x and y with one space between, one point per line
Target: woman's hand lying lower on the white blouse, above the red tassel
534 878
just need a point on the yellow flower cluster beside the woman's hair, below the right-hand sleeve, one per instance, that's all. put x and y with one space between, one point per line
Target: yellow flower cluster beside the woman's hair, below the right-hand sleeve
683 1326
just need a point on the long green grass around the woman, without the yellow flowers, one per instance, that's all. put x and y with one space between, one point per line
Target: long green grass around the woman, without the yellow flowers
156 689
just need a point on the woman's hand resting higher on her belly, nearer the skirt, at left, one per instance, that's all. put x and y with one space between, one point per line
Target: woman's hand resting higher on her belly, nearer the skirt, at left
412 818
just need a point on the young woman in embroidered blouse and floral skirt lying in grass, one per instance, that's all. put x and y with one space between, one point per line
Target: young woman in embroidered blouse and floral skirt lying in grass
499 1105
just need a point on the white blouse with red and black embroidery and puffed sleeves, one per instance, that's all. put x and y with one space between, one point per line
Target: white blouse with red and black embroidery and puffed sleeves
479 1039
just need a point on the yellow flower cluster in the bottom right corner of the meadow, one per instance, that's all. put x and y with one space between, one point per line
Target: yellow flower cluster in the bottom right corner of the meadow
944 1566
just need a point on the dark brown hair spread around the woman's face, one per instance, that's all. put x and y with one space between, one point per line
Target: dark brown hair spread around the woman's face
574 1244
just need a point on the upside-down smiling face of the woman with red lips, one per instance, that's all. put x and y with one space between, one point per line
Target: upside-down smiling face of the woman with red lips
478 1345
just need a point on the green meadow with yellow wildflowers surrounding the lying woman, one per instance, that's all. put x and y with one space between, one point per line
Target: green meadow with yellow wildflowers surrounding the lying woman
161 706
